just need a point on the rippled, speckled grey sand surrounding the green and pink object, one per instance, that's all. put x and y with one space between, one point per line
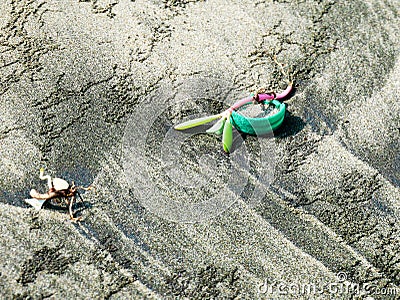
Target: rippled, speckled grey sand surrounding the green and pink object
72 73
